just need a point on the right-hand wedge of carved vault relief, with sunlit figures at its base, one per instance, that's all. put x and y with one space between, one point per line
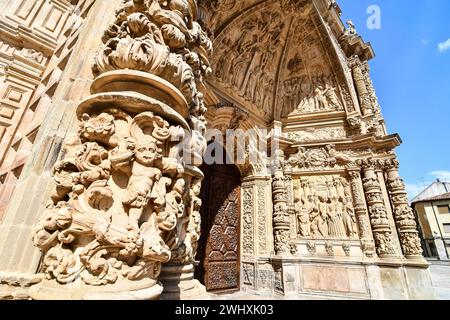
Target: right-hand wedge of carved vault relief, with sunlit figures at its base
307 79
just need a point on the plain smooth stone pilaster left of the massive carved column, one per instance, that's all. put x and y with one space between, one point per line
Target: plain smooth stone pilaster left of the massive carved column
20 259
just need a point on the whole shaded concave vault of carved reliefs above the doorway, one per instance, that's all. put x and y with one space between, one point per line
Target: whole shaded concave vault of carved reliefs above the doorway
275 55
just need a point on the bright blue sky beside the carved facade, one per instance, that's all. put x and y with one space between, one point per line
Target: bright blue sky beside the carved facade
411 74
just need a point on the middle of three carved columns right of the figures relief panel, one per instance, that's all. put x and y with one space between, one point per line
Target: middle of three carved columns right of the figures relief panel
377 211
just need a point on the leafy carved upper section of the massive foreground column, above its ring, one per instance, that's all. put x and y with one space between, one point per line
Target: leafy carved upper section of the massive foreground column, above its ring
161 38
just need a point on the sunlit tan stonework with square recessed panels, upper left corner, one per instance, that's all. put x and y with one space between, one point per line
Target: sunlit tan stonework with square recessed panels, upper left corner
36 39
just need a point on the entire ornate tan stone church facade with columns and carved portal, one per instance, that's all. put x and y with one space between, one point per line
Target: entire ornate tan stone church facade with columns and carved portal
117 210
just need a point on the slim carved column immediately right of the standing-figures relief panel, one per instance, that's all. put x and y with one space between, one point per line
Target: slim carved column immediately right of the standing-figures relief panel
362 216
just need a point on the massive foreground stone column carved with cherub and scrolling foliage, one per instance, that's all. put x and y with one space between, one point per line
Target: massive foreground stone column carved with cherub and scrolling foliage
125 200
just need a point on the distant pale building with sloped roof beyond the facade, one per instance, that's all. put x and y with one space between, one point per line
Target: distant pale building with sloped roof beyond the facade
432 208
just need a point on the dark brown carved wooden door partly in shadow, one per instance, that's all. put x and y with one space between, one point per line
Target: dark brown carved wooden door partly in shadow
219 244
